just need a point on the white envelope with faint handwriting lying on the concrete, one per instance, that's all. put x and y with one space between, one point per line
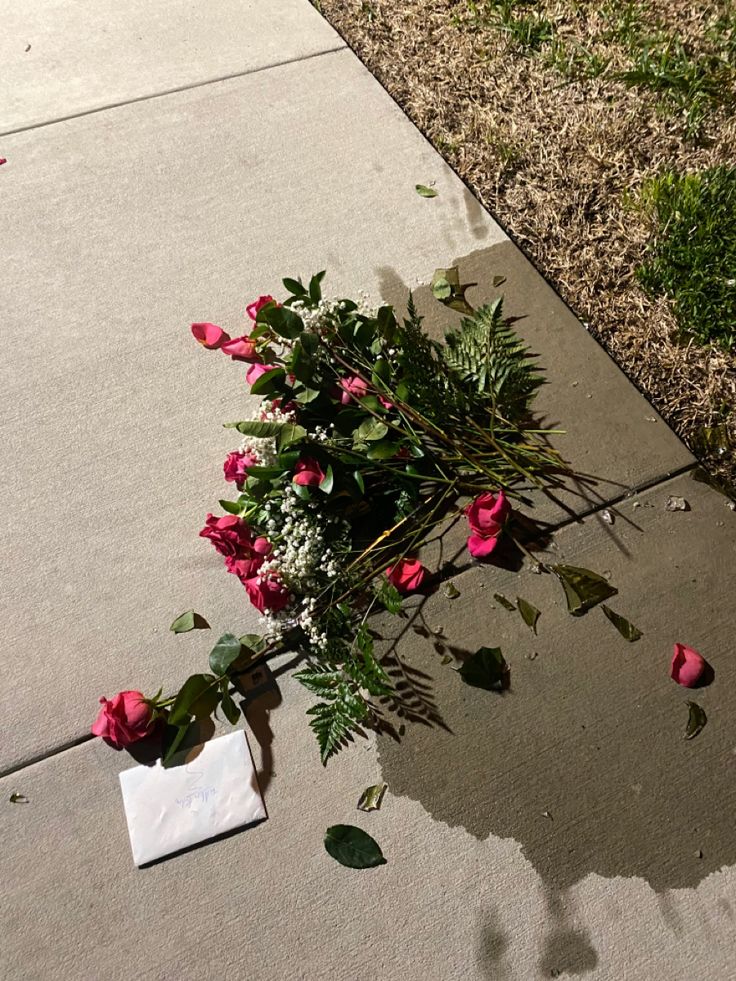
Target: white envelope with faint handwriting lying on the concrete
213 790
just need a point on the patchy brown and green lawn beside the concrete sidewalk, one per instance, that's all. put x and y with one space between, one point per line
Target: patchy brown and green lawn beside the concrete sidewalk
602 135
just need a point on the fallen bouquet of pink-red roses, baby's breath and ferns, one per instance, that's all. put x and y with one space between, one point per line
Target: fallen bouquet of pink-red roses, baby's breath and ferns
369 436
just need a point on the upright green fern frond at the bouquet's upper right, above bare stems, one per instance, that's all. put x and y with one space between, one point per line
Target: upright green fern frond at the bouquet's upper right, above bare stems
490 357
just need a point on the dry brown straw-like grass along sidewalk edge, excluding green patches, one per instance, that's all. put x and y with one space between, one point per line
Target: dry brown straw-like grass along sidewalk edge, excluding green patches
559 163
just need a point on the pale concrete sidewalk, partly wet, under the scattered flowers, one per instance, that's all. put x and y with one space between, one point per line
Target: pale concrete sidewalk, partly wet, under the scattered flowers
167 164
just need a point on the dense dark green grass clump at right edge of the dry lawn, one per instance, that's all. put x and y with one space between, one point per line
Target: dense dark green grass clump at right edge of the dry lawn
692 255
